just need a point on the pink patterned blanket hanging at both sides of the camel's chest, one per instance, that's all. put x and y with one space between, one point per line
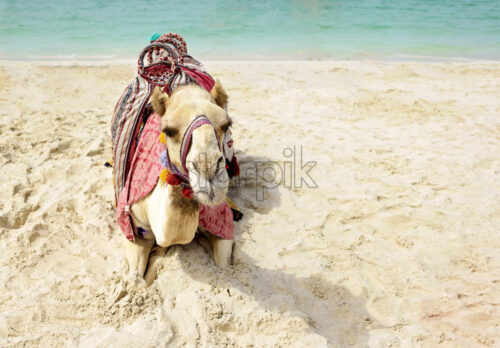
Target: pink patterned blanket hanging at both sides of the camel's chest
143 176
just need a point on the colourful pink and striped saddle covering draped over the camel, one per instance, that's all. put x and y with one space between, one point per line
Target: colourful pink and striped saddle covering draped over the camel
135 131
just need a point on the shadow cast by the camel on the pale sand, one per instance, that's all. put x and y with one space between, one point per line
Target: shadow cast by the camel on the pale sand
331 311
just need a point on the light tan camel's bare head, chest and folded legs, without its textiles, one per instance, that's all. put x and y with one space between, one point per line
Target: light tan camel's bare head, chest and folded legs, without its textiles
171 217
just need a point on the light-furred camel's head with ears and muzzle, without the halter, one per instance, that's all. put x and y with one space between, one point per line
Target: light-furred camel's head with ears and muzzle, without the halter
205 162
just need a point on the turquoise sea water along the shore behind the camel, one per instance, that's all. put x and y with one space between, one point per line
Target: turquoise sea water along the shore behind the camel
253 29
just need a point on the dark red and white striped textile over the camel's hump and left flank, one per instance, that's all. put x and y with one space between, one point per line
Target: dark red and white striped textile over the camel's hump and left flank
164 63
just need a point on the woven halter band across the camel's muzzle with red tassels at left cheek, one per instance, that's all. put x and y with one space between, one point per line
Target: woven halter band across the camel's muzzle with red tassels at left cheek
180 176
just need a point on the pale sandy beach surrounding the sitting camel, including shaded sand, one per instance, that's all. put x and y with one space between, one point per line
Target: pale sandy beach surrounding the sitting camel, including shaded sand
396 246
